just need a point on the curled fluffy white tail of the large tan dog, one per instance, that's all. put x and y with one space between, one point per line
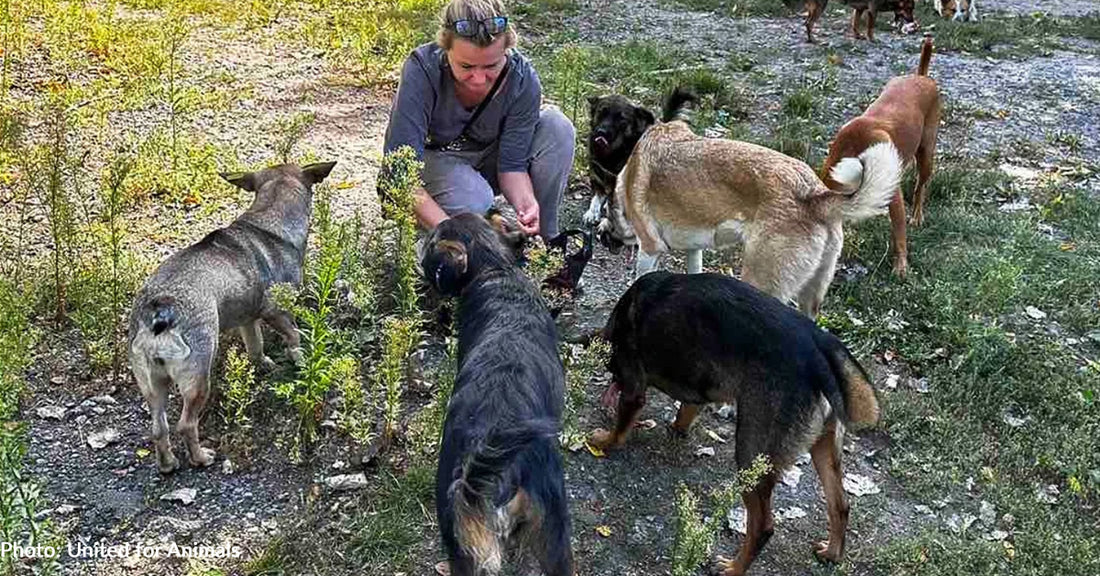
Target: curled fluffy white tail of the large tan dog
870 181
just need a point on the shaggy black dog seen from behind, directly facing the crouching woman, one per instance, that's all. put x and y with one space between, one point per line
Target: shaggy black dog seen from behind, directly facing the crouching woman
500 485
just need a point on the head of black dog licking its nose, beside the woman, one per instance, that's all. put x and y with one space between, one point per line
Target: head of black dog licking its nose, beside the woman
617 128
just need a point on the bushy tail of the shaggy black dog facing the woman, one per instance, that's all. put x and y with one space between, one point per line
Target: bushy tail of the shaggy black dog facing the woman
489 503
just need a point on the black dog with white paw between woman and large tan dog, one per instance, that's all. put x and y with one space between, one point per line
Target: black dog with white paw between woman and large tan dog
617 127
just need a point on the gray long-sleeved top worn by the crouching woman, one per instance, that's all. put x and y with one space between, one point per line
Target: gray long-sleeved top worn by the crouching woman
426 107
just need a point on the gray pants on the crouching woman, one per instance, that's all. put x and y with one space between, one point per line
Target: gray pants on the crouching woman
466 182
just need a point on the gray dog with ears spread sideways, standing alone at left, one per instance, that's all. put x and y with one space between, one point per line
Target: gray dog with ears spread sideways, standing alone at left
219 284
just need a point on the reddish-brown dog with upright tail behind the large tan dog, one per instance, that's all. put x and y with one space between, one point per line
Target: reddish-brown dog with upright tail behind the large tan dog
907 116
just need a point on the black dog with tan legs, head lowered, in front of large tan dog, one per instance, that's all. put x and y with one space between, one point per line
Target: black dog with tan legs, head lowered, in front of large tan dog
708 338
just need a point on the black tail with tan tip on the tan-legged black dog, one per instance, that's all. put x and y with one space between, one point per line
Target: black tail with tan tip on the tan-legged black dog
854 401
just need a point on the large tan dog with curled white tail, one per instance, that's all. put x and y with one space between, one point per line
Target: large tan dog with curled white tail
683 192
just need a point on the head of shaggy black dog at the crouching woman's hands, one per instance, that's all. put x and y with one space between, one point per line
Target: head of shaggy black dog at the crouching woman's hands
463 247
